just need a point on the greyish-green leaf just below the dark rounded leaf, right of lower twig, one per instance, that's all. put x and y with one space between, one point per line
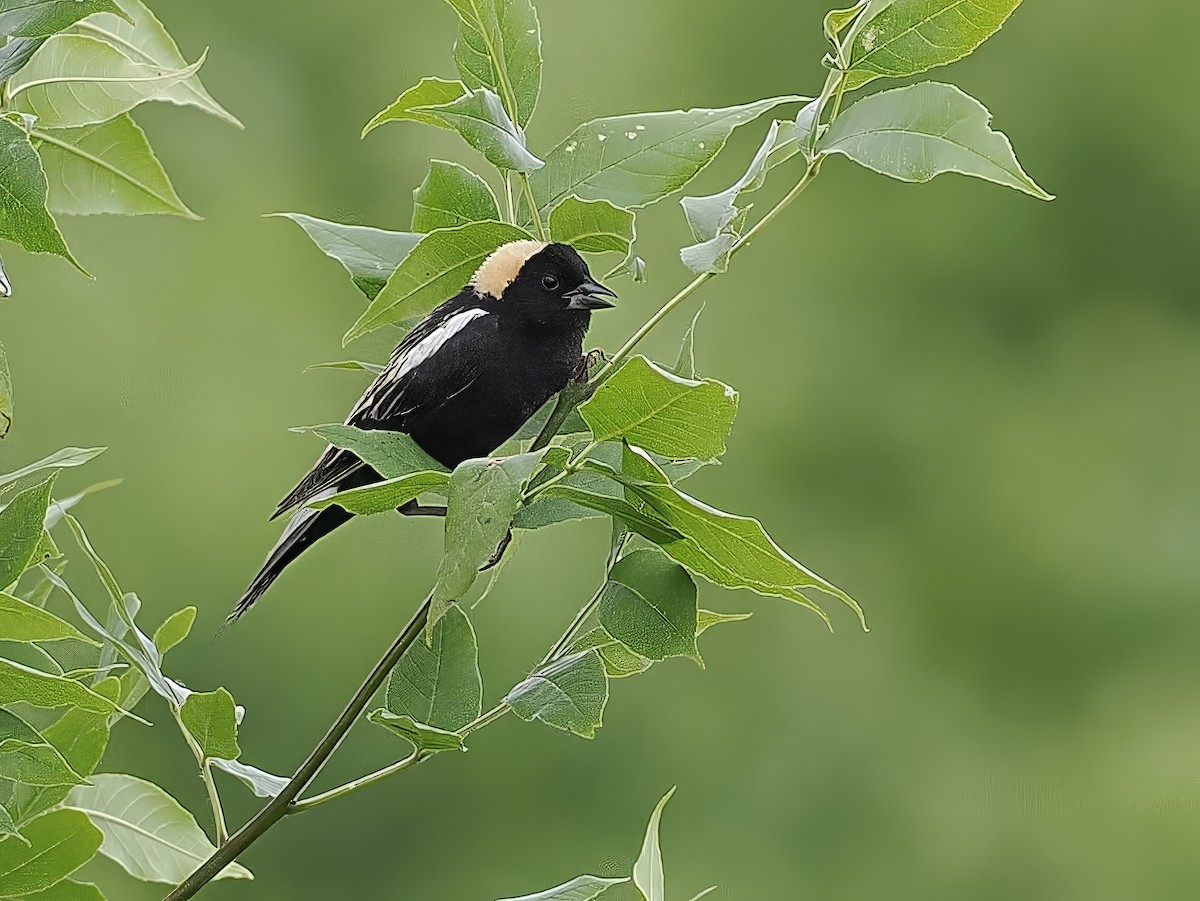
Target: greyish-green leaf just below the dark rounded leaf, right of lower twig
568 694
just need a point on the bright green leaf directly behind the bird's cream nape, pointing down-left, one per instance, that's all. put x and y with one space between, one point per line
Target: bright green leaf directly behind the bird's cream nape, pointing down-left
439 268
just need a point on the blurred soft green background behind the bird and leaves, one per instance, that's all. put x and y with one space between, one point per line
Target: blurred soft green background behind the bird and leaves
974 411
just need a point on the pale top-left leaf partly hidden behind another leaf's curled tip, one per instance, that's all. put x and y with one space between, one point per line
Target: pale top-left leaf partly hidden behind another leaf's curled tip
145 40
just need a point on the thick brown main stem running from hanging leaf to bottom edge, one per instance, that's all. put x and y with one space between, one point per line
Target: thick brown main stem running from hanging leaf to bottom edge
279 806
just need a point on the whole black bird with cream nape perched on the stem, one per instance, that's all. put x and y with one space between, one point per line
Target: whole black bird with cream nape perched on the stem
461 383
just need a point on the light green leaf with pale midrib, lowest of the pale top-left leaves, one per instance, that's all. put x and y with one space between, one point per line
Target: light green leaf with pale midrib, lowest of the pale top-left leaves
106 169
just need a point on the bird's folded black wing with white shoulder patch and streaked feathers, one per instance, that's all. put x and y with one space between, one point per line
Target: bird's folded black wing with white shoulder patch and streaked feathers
409 385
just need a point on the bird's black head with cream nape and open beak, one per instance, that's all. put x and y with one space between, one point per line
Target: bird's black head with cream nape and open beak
544 280
